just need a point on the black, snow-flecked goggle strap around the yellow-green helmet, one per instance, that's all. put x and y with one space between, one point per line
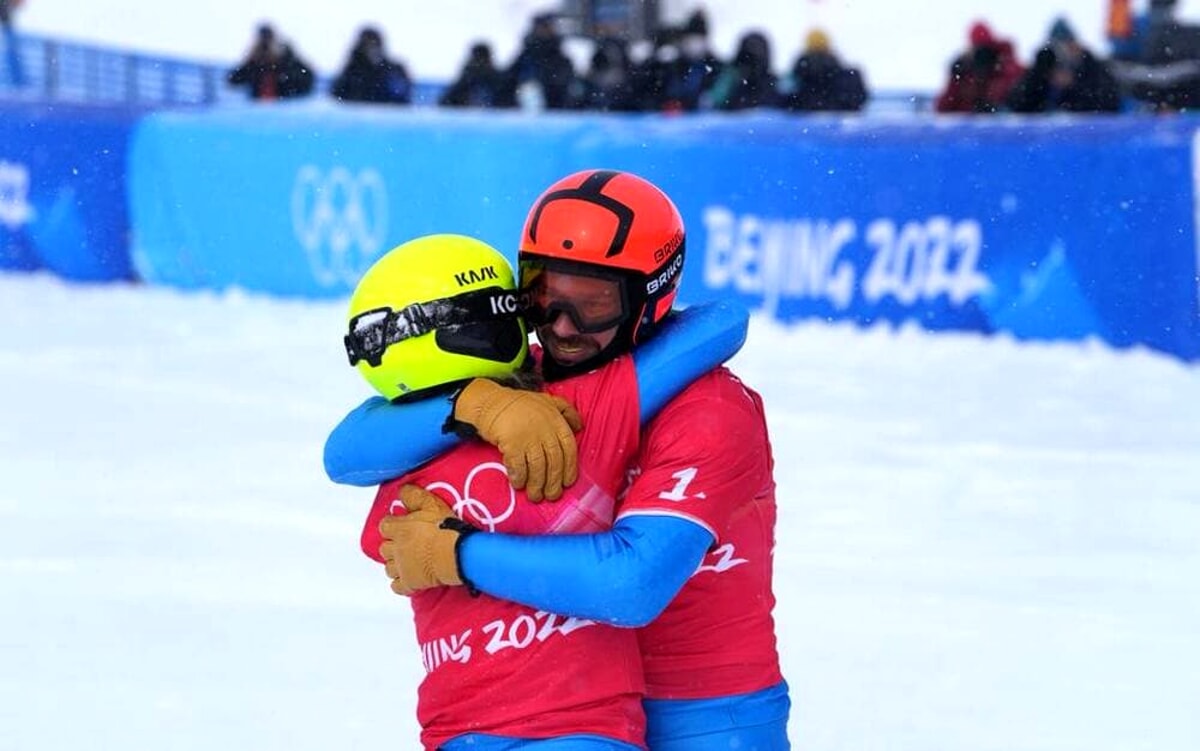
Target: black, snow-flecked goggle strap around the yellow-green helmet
373 333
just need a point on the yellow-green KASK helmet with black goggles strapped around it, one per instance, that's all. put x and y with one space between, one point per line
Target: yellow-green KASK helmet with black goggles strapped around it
433 313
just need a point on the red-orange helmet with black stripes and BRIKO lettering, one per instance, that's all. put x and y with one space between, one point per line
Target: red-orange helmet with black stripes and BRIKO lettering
615 226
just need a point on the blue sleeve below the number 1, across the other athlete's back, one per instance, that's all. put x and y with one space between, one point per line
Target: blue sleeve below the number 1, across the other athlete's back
626 576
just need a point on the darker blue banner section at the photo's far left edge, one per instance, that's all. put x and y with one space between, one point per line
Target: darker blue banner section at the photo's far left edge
63 203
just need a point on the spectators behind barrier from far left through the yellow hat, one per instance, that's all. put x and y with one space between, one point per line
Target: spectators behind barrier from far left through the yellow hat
676 71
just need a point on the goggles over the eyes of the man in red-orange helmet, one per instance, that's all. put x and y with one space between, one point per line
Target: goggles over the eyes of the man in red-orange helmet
595 301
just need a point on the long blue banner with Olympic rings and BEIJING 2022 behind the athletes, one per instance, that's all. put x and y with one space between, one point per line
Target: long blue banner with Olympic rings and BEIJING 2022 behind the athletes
1041 227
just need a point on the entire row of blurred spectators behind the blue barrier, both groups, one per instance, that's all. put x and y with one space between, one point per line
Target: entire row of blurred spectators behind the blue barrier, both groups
1155 65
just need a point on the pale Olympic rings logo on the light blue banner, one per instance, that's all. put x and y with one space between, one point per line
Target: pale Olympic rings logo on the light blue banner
340 220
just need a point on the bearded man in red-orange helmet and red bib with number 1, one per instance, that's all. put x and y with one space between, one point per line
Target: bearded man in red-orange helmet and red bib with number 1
689 560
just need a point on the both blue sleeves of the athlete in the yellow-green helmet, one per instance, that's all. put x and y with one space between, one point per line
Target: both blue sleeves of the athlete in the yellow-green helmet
380 441
